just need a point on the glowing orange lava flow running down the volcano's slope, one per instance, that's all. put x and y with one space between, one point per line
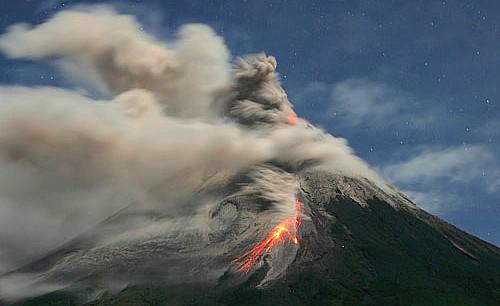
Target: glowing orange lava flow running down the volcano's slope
285 231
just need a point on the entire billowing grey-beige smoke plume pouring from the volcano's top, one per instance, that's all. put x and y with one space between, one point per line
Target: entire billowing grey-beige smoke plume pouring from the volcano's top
182 121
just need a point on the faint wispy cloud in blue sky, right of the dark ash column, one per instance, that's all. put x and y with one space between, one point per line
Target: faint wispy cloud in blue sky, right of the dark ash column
356 102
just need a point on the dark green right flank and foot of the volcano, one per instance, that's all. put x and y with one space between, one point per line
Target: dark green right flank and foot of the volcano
359 246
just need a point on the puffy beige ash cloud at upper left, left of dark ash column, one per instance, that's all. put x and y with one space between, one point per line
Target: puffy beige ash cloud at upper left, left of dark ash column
112 52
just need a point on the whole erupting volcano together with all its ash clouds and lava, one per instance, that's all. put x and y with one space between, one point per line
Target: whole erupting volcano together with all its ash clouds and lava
192 181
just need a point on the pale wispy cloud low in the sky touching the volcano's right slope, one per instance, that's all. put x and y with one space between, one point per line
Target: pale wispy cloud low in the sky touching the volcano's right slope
436 177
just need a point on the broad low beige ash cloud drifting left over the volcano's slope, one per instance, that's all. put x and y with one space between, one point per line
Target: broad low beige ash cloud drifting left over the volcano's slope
68 162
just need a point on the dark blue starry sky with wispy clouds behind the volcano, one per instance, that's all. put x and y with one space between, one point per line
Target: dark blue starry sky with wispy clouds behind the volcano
413 85
